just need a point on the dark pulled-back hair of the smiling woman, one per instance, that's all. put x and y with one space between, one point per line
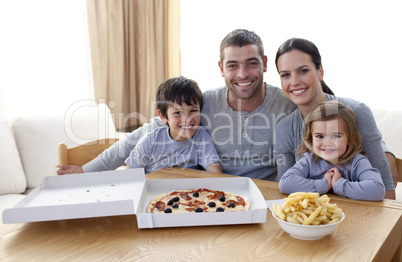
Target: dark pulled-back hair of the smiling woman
307 47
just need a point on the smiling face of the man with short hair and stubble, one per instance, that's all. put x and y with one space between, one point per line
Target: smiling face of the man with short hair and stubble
243 70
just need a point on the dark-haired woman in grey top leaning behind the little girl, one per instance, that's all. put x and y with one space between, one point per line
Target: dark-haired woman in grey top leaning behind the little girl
298 62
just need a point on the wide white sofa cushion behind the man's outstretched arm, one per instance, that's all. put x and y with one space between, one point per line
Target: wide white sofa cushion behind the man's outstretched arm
37 137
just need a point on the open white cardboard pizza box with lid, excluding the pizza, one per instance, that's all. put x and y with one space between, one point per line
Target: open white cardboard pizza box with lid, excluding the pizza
125 192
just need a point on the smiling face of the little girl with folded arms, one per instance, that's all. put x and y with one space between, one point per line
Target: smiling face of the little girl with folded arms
330 140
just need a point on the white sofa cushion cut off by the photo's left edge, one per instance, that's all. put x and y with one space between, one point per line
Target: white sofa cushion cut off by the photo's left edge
11 172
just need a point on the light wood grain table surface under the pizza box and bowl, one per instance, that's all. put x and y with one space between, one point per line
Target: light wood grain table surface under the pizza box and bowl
371 231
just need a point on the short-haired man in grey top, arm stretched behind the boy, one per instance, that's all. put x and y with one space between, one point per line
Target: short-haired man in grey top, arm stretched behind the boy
241 117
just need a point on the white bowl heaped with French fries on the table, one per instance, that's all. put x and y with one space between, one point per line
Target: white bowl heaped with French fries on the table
308 216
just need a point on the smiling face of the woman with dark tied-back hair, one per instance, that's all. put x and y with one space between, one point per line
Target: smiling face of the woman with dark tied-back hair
300 80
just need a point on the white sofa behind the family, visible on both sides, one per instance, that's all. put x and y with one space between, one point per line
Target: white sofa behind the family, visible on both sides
28 145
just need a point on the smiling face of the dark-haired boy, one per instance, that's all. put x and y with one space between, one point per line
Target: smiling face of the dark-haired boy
183 120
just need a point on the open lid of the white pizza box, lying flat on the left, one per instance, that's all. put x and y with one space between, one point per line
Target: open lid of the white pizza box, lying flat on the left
95 194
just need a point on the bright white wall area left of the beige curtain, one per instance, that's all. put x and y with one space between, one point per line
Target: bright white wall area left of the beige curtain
43 56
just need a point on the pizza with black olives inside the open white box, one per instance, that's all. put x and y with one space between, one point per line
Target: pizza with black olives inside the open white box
200 200
